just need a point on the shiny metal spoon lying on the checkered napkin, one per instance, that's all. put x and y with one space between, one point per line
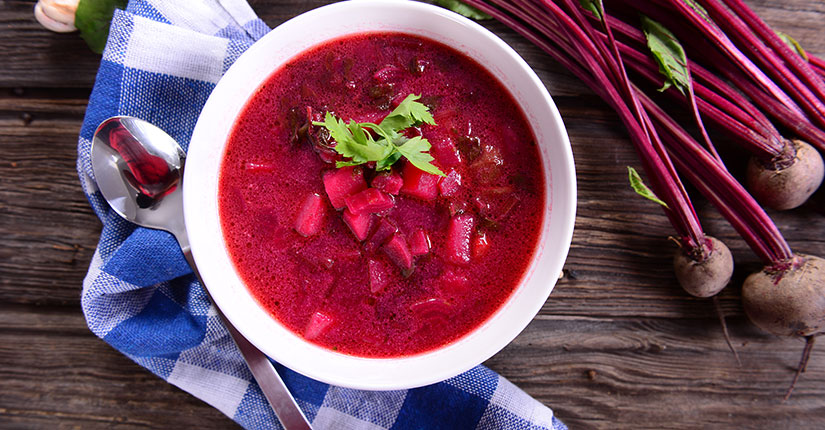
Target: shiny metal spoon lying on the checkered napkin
139 171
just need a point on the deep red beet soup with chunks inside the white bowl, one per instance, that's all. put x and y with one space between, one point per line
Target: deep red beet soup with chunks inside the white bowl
440 256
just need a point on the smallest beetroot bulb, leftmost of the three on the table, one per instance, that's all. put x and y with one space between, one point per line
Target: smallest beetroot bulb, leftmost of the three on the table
708 275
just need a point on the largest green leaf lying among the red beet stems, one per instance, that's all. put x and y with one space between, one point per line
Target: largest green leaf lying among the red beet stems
669 55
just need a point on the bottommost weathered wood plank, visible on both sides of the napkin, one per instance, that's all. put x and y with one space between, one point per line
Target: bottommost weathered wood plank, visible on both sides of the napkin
594 372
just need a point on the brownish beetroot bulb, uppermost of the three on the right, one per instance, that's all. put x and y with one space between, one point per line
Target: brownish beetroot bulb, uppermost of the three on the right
787 187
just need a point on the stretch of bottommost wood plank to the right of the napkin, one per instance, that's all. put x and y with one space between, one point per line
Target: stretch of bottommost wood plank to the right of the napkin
661 374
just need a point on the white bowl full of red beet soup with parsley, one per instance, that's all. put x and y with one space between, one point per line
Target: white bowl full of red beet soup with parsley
380 194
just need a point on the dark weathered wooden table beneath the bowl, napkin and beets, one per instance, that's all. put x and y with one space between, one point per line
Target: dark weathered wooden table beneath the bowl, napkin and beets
617 345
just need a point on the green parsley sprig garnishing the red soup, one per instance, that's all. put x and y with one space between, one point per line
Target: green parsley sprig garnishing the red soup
353 141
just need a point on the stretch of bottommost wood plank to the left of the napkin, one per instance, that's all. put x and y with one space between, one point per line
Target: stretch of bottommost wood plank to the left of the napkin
57 374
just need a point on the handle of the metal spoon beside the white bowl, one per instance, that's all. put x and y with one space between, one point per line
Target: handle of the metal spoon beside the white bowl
273 387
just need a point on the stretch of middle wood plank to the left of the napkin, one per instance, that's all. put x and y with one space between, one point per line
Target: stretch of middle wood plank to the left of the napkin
47 229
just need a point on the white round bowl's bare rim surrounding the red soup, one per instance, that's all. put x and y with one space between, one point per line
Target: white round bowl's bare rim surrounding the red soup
201 198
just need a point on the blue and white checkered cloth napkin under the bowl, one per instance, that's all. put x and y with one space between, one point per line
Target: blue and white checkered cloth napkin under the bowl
162 60
